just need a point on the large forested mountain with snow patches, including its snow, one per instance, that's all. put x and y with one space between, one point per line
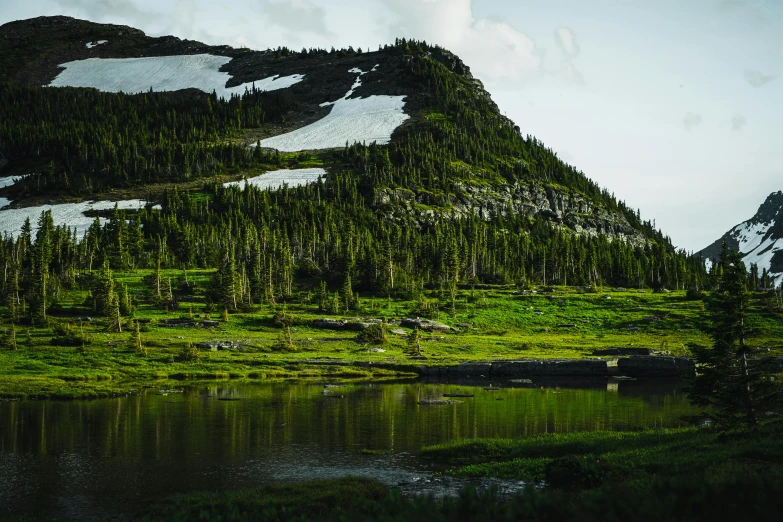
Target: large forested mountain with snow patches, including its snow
399 153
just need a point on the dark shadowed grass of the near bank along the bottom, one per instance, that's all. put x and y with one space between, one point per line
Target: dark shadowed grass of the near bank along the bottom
672 475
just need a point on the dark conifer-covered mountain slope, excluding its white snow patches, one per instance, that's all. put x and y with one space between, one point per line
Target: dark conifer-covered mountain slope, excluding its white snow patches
458 197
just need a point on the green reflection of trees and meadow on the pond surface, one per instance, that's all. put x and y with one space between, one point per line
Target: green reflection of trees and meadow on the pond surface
380 416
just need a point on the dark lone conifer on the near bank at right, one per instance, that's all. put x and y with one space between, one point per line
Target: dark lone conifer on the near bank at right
735 388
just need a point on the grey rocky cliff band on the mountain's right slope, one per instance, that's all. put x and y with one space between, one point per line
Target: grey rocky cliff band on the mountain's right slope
571 211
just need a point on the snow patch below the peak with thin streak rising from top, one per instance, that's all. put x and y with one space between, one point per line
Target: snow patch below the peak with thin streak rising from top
356 120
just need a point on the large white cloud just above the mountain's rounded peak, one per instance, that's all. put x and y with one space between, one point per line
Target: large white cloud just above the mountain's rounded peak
495 51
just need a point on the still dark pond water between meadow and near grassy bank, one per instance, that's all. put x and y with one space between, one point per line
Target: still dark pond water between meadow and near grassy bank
104 458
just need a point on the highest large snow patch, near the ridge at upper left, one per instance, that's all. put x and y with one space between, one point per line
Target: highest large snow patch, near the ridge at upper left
161 73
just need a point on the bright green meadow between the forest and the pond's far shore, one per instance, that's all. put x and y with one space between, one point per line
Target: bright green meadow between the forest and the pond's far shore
491 323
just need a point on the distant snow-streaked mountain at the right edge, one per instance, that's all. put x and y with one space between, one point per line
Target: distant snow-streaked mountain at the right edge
759 239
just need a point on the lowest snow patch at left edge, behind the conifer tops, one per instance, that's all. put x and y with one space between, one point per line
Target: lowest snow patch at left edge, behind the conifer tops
68 214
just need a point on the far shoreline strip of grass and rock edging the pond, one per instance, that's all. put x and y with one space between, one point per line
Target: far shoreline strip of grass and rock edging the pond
587 371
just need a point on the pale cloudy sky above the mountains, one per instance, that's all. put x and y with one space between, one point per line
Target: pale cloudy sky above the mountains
675 106
